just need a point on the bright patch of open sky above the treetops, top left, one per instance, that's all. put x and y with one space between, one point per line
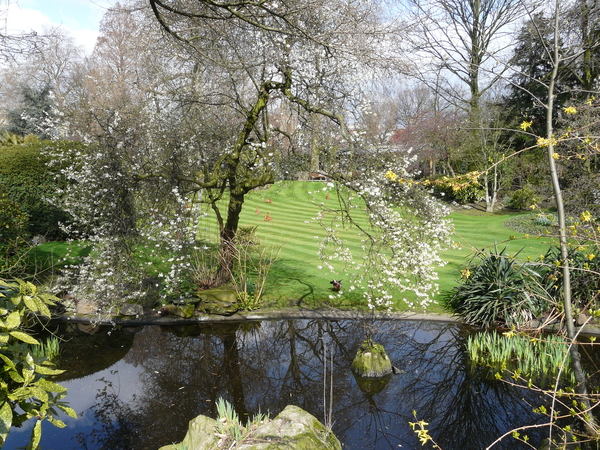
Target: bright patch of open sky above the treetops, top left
79 17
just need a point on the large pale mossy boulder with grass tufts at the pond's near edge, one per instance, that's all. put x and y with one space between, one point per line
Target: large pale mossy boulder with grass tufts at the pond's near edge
292 429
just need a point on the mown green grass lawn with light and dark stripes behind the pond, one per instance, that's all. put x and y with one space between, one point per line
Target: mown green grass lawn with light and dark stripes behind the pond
285 217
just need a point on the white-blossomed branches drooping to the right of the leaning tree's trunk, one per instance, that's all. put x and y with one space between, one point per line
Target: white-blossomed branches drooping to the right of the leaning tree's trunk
404 233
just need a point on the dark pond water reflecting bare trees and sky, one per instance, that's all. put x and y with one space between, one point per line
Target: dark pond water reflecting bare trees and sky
137 388
